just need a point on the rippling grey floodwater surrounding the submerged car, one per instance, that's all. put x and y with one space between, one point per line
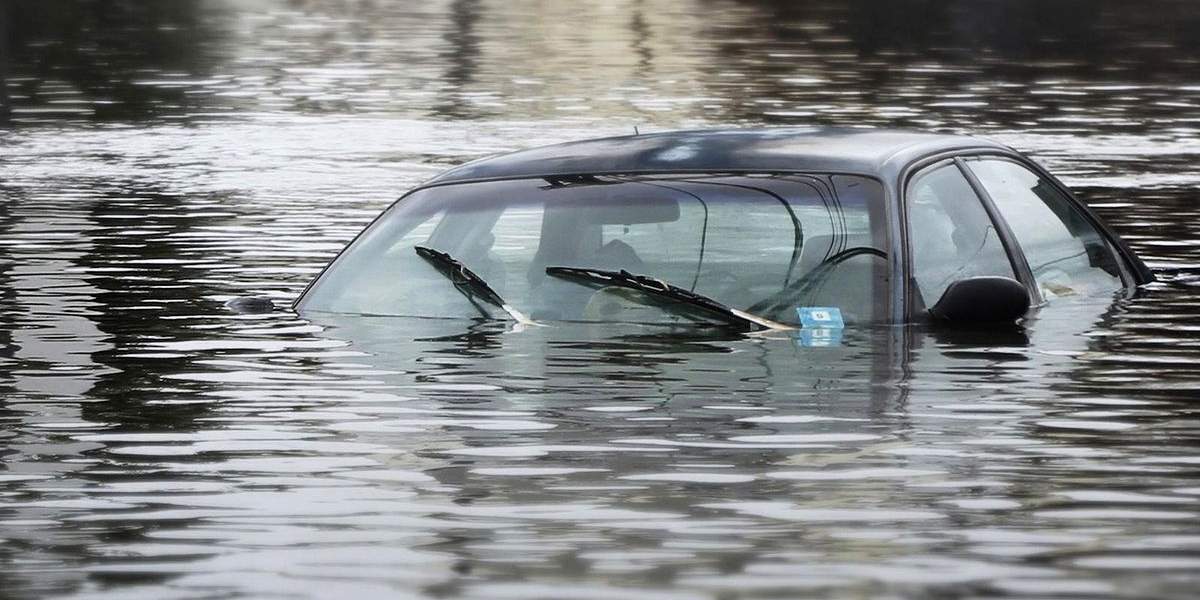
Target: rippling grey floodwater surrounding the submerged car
164 158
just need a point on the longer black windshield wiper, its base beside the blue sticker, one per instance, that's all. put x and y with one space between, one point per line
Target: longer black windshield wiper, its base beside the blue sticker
665 292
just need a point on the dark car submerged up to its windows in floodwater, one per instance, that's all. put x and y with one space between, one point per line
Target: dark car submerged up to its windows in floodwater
776 229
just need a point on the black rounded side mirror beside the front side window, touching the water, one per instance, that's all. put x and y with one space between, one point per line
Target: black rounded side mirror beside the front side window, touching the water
982 301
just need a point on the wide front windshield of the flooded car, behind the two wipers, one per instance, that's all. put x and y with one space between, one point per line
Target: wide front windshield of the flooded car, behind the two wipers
770 245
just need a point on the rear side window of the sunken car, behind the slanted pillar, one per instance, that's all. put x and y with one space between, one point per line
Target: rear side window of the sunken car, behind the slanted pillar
1067 255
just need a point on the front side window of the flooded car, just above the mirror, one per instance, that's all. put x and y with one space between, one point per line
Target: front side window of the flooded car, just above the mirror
951 233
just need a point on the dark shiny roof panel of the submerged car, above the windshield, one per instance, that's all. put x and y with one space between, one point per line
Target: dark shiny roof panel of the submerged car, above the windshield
869 152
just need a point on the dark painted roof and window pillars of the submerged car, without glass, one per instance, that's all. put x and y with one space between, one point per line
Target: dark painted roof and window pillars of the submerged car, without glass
893 159
